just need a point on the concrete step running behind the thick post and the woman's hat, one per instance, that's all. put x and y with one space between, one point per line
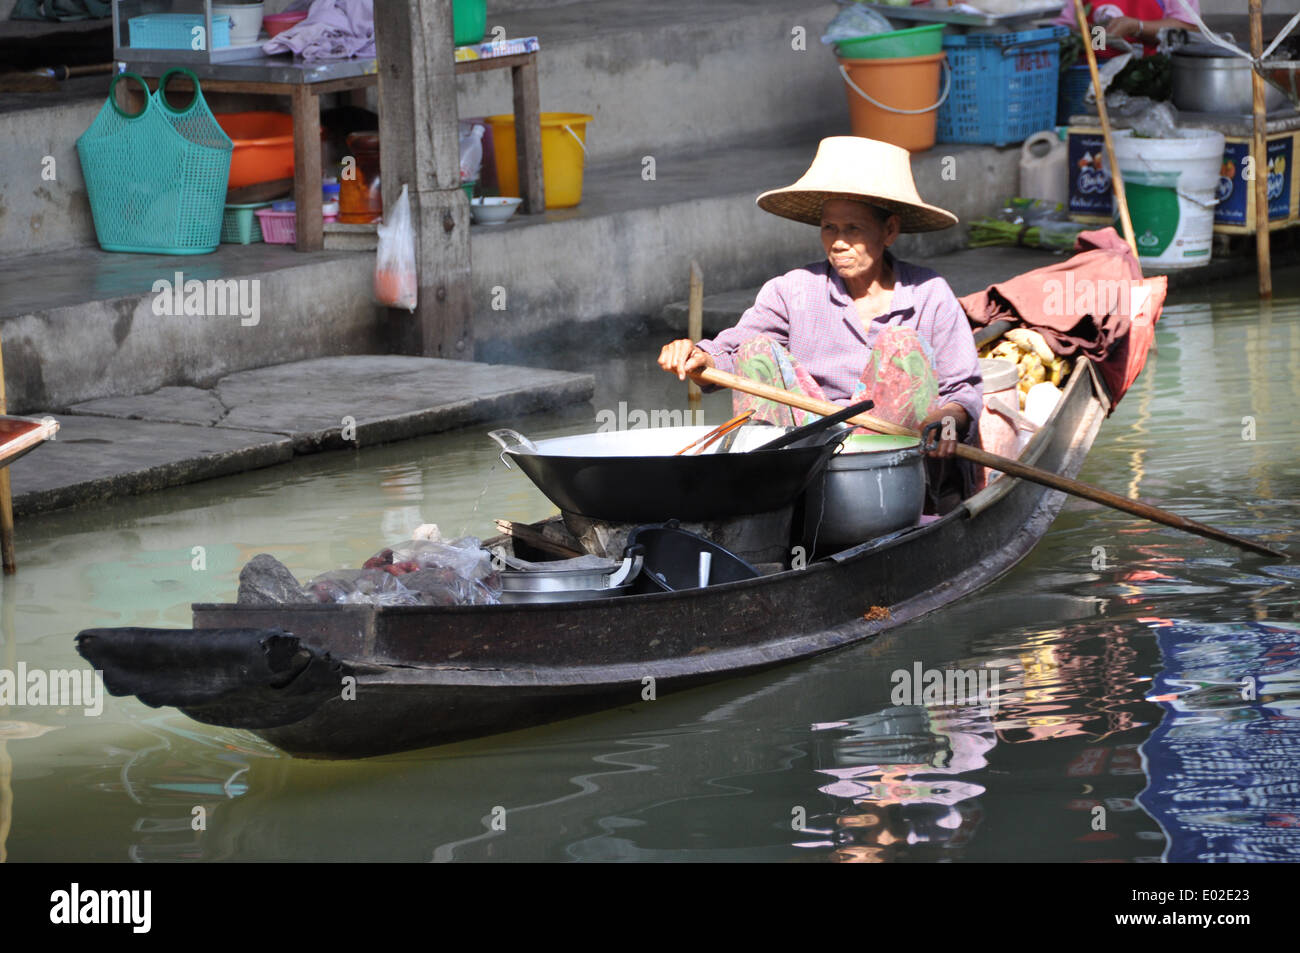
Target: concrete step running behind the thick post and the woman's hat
83 324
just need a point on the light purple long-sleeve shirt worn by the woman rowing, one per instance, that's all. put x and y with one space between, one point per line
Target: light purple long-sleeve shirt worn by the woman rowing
813 315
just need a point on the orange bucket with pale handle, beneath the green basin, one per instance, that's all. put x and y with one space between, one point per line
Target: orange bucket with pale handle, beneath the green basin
896 101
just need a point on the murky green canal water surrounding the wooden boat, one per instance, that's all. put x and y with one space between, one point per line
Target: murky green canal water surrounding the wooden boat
811 763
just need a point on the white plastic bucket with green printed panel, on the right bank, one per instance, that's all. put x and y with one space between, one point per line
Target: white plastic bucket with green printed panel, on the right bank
1171 185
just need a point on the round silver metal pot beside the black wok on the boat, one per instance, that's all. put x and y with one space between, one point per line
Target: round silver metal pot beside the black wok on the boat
876 487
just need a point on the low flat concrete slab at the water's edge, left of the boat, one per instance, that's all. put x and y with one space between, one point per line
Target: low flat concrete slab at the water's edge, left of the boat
114 448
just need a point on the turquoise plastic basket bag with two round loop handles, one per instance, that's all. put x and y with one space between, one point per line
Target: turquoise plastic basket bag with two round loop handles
157 180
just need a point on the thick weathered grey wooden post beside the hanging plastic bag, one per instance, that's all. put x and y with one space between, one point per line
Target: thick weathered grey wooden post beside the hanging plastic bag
421 148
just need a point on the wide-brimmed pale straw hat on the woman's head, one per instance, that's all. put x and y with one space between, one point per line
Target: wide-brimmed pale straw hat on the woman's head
850 167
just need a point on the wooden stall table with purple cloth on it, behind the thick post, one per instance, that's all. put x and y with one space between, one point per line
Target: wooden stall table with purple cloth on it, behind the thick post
306 83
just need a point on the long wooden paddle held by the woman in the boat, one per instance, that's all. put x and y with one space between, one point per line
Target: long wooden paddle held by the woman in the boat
993 461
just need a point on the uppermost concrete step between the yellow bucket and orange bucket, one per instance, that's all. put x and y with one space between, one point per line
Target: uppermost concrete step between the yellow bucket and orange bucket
675 76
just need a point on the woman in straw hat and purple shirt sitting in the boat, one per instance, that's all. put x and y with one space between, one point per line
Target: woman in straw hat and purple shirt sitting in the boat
861 323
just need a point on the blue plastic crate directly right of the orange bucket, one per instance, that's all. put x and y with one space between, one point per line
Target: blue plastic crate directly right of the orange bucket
1004 86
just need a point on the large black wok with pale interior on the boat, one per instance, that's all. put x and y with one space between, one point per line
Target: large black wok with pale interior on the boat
632 476
